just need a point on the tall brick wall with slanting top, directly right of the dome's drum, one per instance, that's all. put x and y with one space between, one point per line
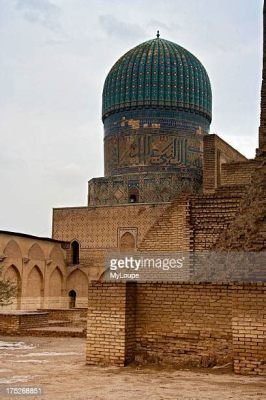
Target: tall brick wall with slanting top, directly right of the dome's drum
216 152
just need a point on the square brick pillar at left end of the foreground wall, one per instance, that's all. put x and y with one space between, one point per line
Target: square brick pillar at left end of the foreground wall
111 323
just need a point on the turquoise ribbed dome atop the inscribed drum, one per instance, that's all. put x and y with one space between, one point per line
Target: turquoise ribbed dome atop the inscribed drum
158 73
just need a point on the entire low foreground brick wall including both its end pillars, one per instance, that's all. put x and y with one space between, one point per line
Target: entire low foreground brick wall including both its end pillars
177 324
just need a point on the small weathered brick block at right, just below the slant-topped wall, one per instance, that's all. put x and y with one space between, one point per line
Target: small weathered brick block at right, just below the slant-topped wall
237 173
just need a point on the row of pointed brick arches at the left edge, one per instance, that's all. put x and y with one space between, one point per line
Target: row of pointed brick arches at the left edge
39 269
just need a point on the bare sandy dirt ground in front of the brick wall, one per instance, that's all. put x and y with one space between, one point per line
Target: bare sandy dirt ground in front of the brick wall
57 365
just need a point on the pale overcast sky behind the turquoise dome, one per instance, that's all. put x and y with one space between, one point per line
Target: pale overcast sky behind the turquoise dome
54 57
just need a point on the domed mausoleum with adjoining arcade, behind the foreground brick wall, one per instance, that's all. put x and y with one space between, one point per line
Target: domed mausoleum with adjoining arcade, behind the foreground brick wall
163 173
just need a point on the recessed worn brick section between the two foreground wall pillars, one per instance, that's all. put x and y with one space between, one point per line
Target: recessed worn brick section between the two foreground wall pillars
183 324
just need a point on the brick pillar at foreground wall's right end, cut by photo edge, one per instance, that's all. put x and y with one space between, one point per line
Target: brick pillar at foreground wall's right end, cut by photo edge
249 329
